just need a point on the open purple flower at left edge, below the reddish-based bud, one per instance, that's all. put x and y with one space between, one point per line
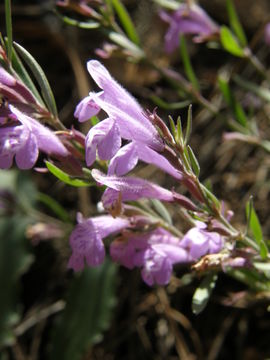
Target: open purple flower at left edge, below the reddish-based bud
23 141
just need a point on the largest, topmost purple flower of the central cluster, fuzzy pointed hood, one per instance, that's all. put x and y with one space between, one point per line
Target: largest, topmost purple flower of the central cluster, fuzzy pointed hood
128 117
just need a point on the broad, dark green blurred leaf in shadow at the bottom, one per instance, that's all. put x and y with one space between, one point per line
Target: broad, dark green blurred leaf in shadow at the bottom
87 314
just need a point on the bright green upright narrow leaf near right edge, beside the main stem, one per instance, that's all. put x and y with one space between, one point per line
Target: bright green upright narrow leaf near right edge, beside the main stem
254 225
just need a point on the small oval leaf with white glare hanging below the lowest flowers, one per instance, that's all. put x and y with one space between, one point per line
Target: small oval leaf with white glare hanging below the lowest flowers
203 293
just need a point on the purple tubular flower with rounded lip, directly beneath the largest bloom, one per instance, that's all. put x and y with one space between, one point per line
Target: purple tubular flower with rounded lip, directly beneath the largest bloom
129 155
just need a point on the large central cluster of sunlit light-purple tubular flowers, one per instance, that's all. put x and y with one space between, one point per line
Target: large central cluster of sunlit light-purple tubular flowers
153 250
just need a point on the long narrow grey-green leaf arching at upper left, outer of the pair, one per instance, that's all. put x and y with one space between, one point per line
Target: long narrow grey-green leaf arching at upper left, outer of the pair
40 77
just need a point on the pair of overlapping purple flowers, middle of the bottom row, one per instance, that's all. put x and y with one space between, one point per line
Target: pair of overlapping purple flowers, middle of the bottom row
155 253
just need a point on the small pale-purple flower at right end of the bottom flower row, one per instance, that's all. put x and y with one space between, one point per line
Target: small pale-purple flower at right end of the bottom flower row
199 241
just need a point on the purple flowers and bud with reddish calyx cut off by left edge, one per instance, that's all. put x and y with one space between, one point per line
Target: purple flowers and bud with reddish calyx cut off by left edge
21 135
